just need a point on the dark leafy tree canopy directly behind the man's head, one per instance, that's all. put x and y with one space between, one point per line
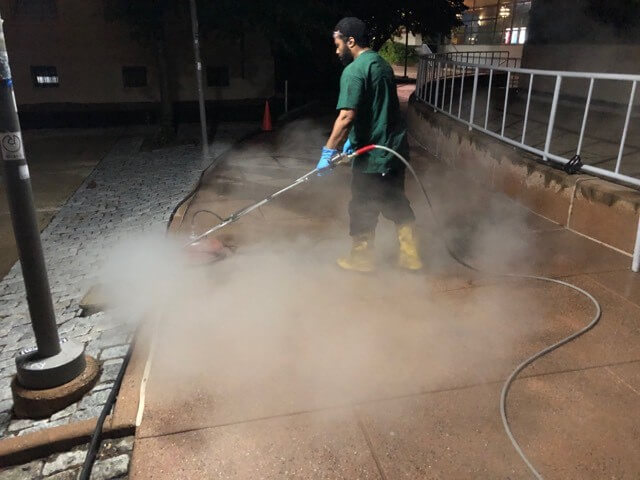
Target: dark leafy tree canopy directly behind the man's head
299 33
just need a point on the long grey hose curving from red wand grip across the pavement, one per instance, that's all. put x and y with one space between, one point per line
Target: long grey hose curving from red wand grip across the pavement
507 384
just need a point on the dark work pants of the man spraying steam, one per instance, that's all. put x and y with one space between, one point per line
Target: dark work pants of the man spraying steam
373 194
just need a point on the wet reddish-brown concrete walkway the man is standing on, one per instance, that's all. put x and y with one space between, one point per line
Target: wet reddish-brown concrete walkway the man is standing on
275 364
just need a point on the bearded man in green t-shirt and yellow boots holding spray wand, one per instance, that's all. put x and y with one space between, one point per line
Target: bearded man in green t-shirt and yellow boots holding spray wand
369 112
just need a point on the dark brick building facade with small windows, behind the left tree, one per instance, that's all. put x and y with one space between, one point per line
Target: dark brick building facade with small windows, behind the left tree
68 56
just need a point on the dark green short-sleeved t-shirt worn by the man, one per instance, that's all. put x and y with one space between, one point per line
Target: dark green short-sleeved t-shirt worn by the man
367 86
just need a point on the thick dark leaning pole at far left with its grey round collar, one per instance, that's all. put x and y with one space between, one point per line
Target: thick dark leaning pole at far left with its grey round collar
53 362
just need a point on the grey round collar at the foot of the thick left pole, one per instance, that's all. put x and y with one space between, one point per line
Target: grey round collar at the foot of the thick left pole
37 373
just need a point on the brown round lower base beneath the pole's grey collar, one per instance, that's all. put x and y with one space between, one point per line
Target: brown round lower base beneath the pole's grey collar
35 404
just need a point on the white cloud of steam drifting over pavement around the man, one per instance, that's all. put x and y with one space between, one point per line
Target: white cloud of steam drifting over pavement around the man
276 327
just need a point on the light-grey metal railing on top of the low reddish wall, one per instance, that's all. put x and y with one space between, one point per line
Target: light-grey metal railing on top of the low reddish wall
442 78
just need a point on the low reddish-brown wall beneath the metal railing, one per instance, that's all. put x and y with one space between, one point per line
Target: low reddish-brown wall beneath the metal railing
596 208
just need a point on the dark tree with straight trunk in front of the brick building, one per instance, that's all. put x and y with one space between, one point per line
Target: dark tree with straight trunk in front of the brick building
149 22
